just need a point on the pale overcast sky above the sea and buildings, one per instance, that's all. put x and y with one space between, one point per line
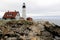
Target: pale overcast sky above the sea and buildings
33 7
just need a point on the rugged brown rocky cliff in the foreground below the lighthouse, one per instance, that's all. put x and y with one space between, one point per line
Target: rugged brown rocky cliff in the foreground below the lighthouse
30 30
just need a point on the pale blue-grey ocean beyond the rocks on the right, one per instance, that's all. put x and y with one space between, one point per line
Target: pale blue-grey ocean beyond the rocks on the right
53 19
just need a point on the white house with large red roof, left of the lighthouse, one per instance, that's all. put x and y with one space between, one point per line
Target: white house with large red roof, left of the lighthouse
12 15
